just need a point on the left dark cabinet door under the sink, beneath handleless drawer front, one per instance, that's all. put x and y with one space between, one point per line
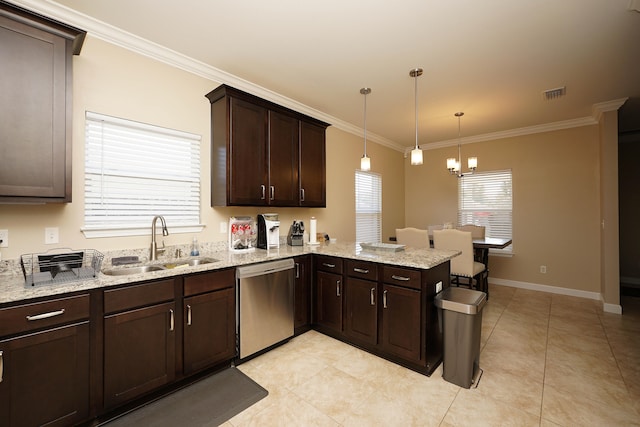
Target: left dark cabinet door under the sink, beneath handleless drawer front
139 352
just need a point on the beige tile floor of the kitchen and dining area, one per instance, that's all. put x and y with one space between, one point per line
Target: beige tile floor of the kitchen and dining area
548 360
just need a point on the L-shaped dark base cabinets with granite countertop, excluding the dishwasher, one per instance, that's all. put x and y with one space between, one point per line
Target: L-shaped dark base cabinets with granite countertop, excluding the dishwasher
173 325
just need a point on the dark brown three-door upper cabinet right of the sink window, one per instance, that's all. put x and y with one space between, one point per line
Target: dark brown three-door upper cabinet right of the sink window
264 154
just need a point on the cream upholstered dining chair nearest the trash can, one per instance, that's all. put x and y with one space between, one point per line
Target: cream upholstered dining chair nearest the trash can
463 266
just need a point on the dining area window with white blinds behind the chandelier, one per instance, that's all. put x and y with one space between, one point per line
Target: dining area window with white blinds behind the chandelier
485 198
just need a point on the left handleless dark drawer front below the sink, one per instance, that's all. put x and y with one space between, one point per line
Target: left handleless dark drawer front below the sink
138 295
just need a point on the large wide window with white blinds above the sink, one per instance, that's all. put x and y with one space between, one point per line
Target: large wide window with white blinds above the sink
134 171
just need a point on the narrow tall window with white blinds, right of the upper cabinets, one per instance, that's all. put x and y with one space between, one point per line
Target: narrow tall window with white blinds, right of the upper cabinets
368 207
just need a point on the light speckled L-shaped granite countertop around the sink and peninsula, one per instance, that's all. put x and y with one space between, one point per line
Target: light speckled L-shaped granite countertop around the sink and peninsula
13 287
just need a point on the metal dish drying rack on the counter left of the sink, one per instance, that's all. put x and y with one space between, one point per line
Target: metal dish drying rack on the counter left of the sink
56 267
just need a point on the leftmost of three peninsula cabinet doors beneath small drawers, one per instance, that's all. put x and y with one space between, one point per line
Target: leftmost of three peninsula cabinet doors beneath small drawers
329 300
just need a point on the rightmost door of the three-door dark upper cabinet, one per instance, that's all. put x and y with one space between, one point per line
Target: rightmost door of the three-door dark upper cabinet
312 165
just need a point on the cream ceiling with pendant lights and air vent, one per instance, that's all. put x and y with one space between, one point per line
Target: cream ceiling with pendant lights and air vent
491 59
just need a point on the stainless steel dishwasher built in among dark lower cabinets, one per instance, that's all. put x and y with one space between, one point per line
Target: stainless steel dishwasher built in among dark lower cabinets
265 305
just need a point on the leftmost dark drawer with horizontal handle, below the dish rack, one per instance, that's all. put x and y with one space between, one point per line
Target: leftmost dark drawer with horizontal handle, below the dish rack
29 317
